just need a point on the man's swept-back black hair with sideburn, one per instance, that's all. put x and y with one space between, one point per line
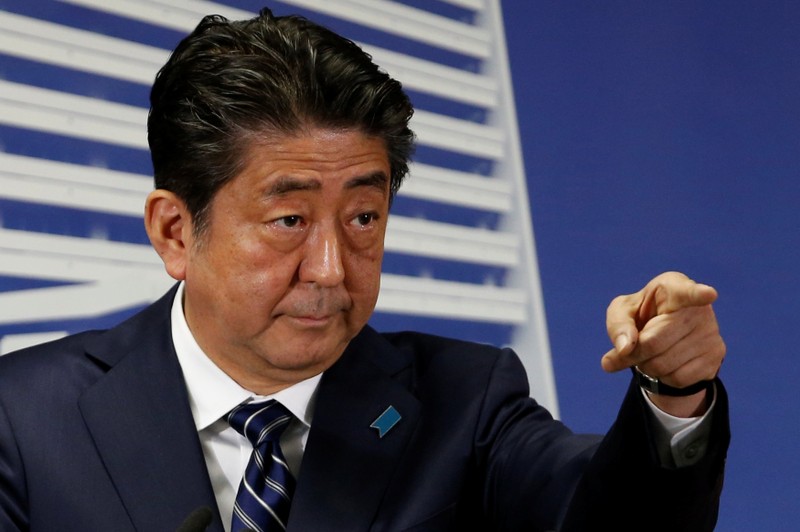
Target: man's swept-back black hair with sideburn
229 81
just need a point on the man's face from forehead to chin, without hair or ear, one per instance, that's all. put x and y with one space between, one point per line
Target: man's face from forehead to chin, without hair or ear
288 268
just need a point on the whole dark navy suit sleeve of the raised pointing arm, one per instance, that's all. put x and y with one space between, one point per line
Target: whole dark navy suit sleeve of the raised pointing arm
541 476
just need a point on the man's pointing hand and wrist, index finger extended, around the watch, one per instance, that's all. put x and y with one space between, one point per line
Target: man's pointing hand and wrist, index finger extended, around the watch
669 330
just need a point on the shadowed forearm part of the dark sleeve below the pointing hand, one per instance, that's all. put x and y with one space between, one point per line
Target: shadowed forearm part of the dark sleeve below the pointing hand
626 487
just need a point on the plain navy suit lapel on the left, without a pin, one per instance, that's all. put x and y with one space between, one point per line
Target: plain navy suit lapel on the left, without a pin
139 417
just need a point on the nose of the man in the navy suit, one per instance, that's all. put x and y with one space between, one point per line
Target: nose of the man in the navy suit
322 262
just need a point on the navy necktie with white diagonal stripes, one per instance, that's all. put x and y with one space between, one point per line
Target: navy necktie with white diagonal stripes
265 493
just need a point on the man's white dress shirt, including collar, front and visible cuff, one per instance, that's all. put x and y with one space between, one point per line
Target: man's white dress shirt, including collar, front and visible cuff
212 394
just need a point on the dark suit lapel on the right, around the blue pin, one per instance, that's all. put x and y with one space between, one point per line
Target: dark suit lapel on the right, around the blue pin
347 464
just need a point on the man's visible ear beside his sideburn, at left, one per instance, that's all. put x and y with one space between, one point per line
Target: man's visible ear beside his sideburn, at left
169 227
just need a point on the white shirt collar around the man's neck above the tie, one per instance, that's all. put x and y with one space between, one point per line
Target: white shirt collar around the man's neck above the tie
212 393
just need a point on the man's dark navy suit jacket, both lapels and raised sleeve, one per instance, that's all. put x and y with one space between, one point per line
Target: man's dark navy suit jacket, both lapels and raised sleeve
96 434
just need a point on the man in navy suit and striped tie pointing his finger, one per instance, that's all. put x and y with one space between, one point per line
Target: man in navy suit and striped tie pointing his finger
277 148
